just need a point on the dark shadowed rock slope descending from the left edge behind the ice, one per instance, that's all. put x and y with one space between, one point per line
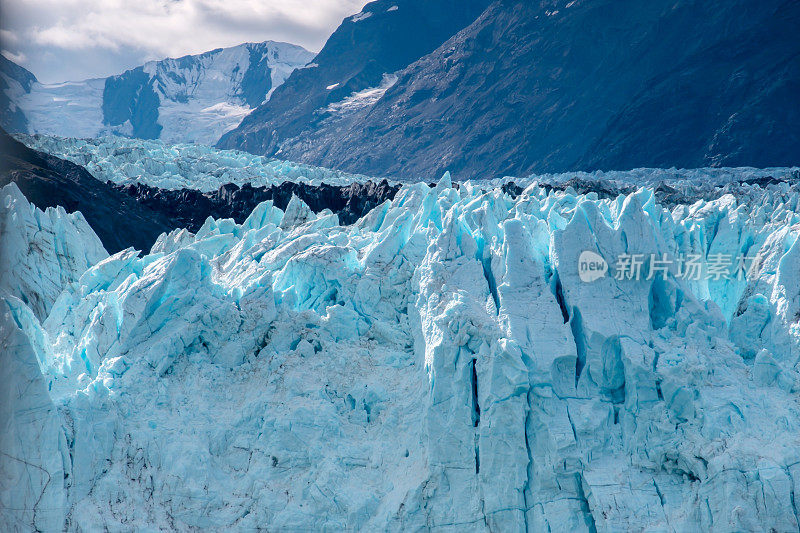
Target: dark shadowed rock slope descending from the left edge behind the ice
119 220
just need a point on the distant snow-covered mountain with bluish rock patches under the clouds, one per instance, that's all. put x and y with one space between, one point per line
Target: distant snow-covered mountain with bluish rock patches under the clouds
190 99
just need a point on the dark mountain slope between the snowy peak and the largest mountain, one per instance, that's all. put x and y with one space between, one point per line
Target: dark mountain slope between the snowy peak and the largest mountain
353 67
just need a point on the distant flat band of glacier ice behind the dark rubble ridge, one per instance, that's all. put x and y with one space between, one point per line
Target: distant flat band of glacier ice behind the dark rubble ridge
176 166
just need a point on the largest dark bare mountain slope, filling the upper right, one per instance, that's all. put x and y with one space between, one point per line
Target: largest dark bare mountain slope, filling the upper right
566 85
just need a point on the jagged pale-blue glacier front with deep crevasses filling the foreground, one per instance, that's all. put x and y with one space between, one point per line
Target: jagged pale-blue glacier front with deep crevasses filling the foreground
437 365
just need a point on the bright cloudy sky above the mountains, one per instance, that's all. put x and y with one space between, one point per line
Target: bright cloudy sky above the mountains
60 40
